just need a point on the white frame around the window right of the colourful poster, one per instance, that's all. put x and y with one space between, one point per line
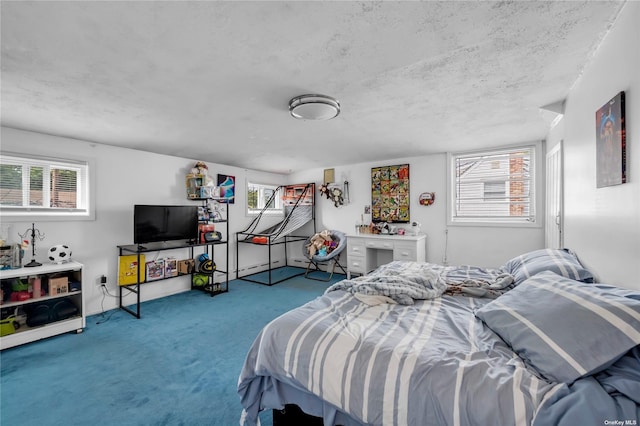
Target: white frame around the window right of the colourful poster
537 182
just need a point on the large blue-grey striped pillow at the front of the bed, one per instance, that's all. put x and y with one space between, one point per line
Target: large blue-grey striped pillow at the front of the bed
565 329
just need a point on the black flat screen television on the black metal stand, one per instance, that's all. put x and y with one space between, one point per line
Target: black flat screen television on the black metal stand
164 223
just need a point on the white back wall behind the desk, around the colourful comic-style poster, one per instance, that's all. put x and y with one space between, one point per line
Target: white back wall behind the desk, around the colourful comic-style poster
483 246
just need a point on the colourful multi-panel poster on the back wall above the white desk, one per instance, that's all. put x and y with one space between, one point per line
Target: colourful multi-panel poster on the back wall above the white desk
390 194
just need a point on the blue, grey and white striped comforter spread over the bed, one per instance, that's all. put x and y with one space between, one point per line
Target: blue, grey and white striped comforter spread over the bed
432 362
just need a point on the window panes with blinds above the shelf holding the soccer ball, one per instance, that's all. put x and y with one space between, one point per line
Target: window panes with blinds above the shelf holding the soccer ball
43 187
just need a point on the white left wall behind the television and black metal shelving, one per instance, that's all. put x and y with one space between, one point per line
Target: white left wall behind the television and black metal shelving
123 177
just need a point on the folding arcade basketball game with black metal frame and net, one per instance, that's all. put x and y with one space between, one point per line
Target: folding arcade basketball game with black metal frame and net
299 208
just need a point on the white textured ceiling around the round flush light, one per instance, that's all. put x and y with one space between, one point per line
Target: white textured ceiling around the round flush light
212 80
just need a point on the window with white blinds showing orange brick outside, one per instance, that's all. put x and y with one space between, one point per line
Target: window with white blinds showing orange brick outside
496 187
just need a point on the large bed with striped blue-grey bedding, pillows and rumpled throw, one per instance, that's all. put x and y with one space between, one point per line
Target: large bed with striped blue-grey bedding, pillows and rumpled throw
535 341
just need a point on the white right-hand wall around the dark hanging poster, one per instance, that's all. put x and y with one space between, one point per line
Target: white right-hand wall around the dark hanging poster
603 224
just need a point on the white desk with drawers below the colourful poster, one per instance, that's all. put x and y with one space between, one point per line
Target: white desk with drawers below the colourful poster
365 252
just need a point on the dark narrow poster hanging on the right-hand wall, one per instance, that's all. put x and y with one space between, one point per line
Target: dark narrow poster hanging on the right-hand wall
611 160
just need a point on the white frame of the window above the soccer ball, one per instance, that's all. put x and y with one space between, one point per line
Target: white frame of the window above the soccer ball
85 183
